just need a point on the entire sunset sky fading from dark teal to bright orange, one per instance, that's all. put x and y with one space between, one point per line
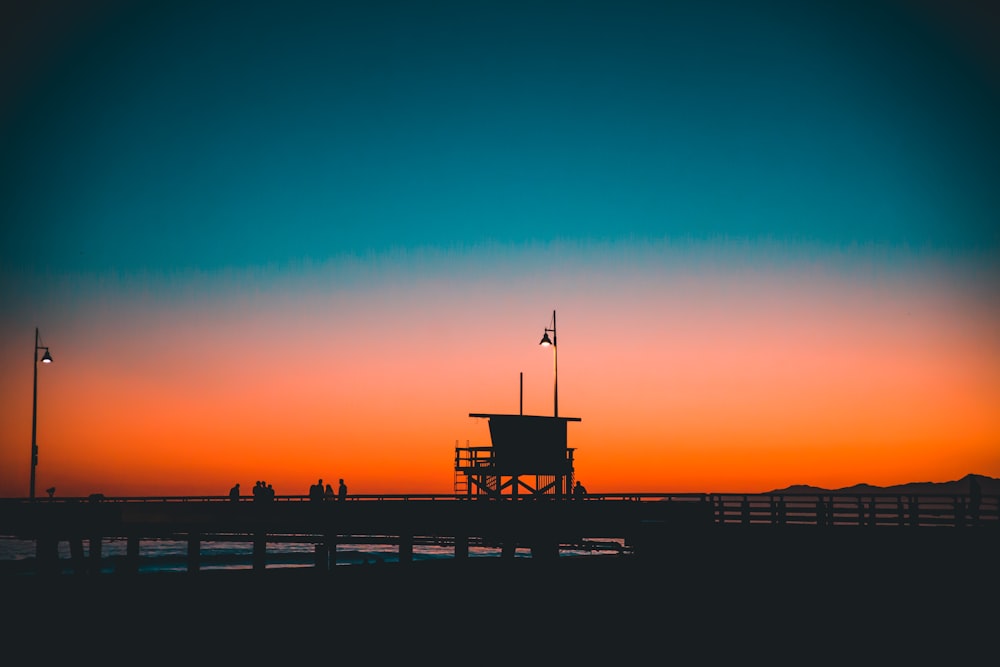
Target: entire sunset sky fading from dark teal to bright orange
301 240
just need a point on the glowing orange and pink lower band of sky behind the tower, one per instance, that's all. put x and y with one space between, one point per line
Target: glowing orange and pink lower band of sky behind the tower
710 376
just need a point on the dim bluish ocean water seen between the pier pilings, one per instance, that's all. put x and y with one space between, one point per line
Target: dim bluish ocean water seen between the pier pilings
170 555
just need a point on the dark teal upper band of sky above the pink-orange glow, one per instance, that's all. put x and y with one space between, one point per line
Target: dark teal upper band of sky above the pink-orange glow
176 136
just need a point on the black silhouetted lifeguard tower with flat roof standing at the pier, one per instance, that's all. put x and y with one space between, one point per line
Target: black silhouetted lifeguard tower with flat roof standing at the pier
528 455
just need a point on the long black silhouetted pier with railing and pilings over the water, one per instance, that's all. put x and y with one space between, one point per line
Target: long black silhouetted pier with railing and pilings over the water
642 527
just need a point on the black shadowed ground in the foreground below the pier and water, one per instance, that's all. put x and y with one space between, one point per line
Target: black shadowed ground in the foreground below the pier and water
722 600
